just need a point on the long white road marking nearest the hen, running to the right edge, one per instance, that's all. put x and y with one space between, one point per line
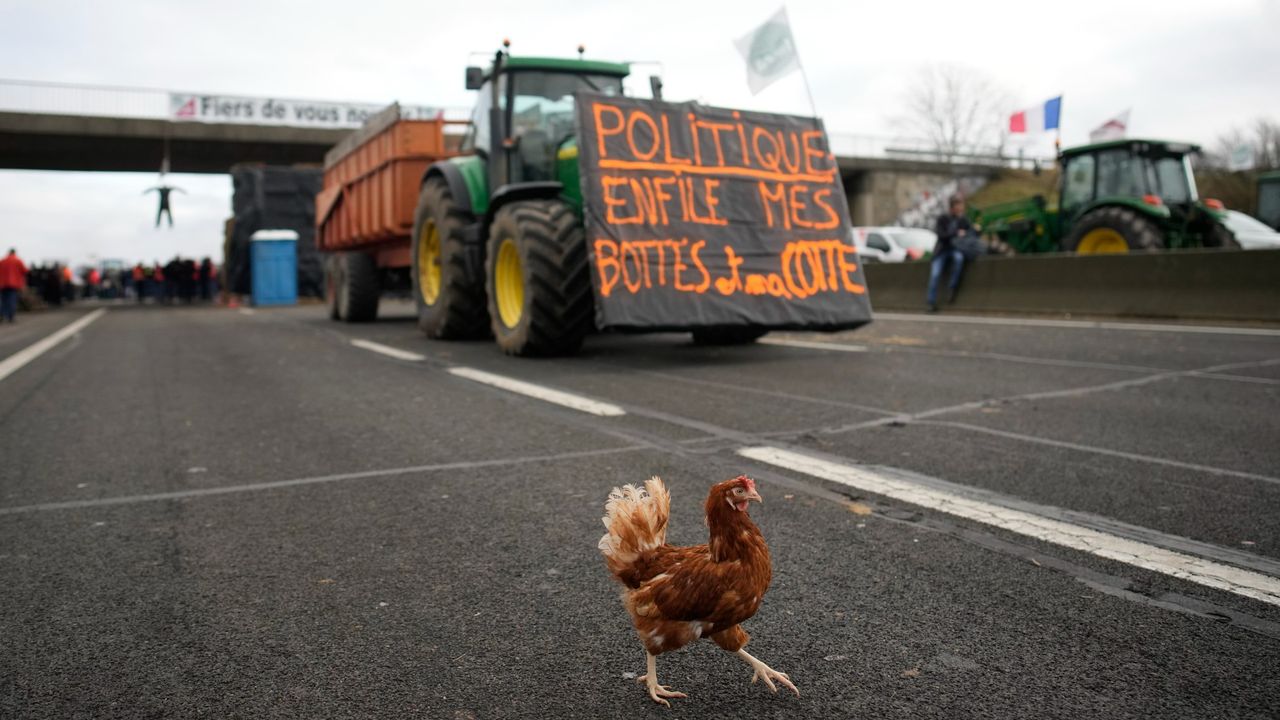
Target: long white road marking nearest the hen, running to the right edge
1140 555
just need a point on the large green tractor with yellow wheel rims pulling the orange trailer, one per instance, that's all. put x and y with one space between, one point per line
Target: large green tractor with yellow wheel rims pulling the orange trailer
499 243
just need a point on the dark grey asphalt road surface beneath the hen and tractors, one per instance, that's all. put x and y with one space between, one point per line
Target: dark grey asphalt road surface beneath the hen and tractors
208 513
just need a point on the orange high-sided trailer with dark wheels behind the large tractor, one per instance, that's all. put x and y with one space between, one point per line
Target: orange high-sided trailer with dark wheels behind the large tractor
365 208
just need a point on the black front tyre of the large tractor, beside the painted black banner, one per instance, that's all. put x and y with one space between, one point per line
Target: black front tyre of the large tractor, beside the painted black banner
557 307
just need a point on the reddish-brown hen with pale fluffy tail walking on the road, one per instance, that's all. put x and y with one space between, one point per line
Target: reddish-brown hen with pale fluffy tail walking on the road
679 595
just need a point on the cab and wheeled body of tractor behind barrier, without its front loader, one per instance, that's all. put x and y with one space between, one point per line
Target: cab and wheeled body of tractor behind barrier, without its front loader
1130 195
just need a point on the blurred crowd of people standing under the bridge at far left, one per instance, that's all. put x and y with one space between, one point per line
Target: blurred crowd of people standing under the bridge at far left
182 280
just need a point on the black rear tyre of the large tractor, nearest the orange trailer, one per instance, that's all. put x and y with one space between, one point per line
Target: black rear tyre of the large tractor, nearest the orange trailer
458 312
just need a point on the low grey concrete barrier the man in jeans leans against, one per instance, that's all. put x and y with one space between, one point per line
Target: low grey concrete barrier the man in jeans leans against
1220 285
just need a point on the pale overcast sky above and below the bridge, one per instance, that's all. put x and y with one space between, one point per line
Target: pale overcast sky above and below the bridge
1187 70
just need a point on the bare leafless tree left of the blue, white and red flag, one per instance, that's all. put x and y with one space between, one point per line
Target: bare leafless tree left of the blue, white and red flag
958 110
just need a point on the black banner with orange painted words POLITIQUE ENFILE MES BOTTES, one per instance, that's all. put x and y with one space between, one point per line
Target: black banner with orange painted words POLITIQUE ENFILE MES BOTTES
700 217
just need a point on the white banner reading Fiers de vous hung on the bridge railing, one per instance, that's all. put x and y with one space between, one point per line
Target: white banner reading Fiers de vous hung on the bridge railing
273 112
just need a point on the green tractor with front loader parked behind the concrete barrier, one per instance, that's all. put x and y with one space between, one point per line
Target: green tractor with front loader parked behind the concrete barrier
1116 197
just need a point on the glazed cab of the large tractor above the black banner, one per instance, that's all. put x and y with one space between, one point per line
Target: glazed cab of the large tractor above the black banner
523 125
